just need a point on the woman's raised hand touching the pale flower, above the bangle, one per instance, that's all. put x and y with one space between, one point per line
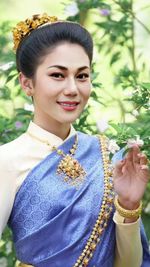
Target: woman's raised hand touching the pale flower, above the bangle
131 176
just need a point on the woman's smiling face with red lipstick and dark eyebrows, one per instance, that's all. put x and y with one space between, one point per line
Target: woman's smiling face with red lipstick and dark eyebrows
61 85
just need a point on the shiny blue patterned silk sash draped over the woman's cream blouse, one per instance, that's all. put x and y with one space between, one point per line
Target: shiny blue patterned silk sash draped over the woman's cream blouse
51 220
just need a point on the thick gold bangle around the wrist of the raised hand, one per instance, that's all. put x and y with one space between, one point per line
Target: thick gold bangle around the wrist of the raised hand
130 214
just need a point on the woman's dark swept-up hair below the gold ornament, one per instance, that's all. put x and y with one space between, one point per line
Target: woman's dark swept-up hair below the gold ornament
43 39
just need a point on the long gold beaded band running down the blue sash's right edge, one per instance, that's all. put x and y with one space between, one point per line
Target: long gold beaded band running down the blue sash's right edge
105 210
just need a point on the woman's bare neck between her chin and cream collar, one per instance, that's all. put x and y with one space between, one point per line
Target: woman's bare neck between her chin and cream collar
59 129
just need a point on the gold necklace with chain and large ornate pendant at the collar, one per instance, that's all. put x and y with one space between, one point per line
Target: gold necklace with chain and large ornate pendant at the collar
69 167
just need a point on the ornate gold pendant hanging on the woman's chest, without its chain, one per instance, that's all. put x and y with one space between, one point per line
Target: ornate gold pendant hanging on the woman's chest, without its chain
71 168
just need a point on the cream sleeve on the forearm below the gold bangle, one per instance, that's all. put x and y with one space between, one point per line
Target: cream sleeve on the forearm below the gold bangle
128 243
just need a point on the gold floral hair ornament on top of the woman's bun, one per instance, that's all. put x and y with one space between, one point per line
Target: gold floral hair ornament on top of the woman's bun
24 28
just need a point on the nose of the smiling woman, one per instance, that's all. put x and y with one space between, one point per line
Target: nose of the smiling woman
71 87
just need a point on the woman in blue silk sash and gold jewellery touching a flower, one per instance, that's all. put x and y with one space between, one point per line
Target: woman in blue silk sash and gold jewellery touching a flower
59 181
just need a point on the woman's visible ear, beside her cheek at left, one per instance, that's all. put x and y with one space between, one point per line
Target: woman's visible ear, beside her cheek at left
26 84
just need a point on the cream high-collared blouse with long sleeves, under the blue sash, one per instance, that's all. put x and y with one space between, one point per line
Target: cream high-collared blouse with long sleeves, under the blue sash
17 159
